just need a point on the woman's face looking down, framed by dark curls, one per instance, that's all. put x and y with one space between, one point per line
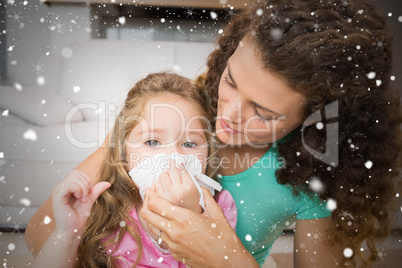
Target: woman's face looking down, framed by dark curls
255 106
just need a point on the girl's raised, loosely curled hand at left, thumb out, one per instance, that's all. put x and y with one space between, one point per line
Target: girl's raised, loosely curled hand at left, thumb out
72 202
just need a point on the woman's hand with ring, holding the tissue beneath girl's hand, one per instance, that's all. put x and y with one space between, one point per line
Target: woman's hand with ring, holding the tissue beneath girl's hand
199 240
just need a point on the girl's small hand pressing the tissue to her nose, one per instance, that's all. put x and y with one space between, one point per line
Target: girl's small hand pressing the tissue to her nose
176 186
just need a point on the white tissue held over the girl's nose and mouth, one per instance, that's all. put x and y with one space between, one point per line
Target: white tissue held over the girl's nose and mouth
147 172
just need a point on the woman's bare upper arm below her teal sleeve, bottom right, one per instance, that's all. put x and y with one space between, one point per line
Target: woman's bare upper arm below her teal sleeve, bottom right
311 248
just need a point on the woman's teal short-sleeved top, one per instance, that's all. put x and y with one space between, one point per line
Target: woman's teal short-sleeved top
265 207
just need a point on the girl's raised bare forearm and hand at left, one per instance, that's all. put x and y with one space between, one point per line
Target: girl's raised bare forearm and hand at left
72 201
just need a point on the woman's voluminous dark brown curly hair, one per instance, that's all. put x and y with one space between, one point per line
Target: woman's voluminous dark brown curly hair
331 51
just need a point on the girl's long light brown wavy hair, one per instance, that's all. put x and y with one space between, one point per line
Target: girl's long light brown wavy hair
110 218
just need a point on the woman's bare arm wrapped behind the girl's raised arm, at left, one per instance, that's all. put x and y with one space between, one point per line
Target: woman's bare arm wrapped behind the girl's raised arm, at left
38 230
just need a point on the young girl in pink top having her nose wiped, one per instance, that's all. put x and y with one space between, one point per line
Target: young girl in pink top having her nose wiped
163 113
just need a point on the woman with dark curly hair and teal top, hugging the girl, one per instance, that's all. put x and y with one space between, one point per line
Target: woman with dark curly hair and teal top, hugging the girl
305 85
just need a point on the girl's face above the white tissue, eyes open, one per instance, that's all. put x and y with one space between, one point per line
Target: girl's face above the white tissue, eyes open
168 123
